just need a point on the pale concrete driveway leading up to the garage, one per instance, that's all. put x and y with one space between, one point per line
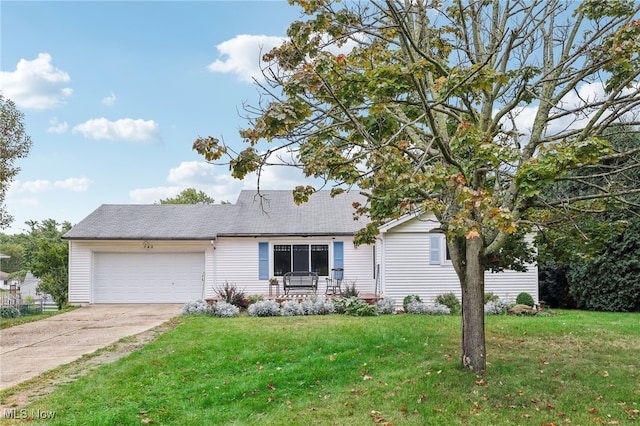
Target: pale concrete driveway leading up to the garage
28 350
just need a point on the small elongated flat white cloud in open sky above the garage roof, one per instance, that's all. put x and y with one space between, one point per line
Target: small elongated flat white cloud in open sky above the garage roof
128 129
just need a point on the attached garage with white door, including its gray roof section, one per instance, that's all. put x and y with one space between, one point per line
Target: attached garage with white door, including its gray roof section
156 253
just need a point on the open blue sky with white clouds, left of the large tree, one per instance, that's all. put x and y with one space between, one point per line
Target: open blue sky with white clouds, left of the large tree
114 94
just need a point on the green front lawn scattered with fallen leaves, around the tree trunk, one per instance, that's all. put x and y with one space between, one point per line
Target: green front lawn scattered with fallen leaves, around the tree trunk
575 368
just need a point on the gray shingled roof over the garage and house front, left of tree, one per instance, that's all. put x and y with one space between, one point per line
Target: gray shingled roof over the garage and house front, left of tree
275 214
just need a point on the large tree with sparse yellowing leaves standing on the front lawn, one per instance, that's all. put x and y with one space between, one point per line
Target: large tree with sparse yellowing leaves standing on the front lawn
466 109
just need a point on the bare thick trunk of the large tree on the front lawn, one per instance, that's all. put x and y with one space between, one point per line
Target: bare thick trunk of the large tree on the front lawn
472 283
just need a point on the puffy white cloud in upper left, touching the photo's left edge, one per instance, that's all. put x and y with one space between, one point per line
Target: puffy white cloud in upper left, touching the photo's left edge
36 84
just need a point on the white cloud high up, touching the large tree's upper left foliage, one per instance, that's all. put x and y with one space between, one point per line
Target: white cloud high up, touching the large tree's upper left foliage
242 55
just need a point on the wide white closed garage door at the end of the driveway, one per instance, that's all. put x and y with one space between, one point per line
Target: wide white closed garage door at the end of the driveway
148 277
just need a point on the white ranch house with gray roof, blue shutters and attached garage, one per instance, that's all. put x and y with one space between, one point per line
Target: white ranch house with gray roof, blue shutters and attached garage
172 253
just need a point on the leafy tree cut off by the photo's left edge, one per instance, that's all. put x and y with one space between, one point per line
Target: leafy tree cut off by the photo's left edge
14 144
